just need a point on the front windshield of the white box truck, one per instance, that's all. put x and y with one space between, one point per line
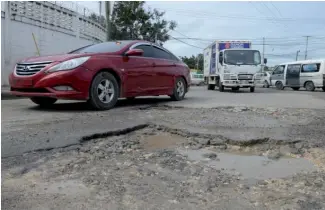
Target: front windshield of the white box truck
242 57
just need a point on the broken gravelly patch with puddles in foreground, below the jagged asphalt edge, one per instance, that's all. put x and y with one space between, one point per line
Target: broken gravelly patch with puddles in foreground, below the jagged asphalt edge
152 168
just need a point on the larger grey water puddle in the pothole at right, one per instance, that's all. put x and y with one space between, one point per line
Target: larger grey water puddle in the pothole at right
251 167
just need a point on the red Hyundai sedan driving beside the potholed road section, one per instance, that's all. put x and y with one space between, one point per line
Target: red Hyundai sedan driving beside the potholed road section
102 73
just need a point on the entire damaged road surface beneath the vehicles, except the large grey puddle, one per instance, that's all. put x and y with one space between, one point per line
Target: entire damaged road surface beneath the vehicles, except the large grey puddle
100 160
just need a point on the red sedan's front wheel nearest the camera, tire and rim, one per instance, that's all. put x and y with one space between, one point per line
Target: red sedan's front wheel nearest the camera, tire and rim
104 91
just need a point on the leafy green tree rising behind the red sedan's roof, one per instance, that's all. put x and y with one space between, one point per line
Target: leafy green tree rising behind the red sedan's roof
131 21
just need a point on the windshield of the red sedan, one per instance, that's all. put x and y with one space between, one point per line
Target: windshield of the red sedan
104 47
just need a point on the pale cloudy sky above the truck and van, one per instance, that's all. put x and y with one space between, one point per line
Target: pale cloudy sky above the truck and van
283 24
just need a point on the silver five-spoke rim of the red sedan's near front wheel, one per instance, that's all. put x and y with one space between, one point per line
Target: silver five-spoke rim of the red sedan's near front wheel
105 91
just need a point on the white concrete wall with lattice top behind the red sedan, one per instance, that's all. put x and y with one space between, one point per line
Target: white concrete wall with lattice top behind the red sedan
56 30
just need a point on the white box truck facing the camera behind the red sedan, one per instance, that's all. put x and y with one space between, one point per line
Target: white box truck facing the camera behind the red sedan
231 64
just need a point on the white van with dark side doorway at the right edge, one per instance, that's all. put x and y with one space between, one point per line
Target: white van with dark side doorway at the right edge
309 74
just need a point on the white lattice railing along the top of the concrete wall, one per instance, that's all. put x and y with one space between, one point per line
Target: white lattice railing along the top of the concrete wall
49 15
